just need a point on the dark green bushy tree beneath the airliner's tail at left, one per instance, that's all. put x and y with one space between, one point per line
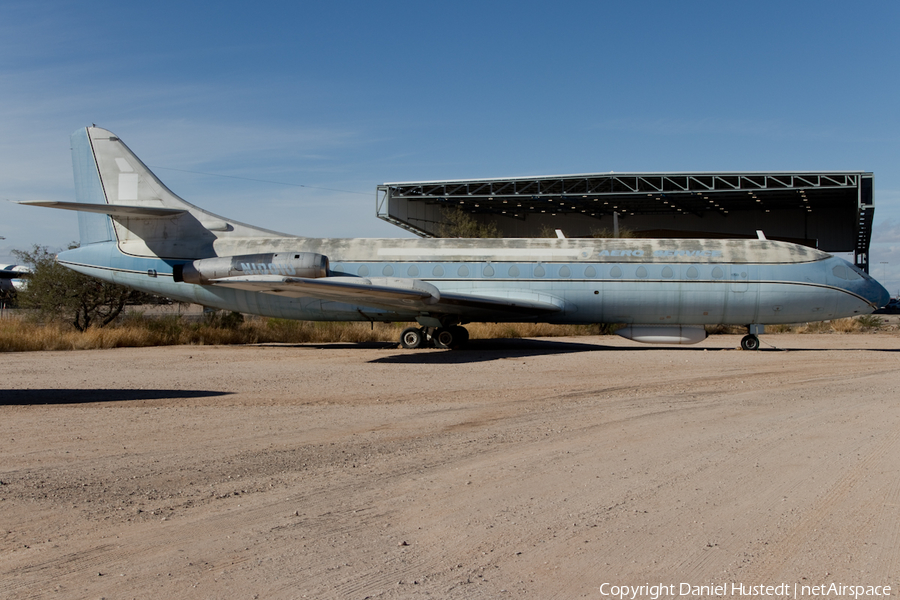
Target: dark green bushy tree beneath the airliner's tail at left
59 293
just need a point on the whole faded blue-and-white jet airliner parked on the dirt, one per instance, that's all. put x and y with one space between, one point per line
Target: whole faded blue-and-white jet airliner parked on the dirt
136 232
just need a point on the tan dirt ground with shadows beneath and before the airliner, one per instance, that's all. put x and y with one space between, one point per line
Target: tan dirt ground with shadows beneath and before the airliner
532 468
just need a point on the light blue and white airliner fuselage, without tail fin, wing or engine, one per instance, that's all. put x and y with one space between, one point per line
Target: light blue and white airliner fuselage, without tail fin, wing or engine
688 282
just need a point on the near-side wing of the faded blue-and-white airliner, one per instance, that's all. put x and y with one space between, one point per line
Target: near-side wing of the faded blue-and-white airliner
395 294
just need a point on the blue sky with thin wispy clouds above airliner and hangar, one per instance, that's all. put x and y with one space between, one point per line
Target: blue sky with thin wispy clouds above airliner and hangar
339 97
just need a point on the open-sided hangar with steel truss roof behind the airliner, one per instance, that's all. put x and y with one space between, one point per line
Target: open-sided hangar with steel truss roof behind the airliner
828 210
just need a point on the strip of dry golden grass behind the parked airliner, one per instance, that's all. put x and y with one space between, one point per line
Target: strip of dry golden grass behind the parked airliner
137 330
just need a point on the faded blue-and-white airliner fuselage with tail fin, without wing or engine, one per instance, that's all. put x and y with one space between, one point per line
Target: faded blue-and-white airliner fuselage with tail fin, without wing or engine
637 281
